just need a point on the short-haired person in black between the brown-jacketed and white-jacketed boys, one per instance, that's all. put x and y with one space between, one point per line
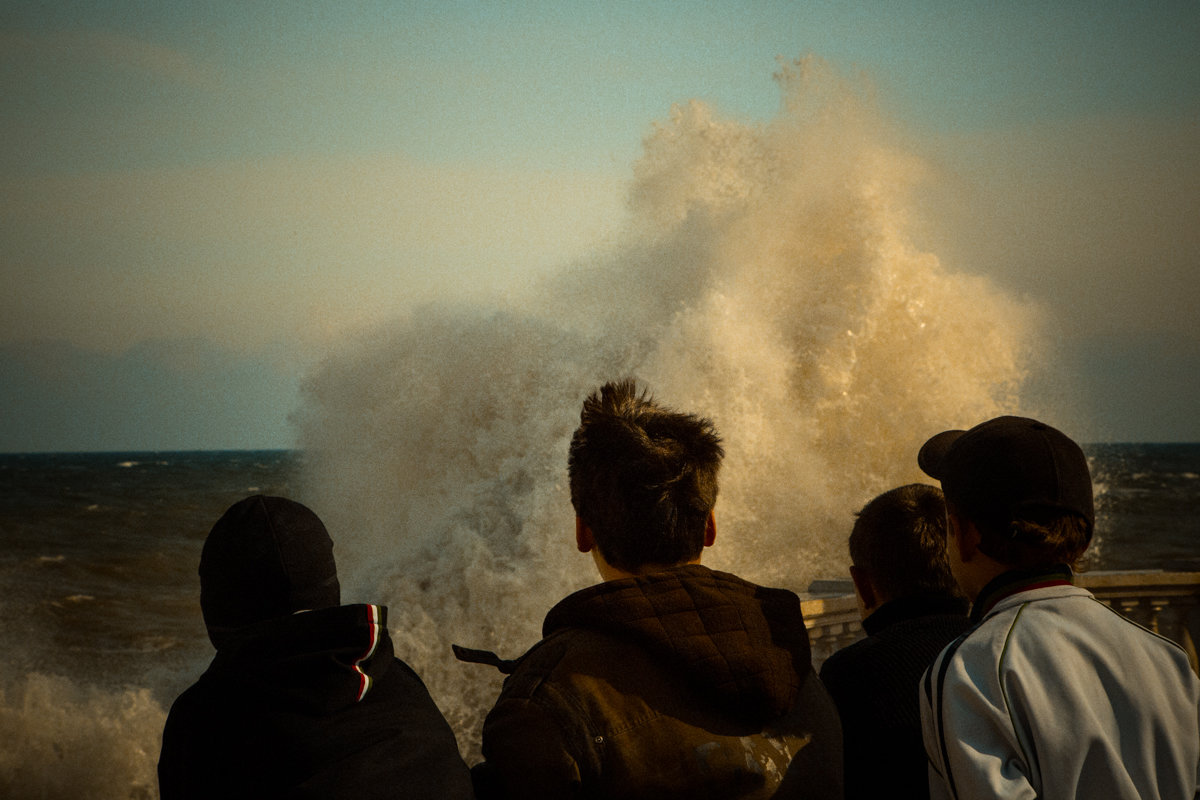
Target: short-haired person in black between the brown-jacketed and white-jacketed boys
911 610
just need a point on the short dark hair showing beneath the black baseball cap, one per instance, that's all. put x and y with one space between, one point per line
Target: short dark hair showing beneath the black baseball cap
1040 538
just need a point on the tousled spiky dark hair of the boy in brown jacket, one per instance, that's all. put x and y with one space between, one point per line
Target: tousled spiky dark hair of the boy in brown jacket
644 477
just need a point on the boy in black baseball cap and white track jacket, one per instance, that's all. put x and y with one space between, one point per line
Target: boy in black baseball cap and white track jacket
1052 694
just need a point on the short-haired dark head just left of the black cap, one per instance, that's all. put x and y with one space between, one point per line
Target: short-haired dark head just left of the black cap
899 539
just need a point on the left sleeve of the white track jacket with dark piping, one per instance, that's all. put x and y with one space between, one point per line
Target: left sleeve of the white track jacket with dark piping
970 741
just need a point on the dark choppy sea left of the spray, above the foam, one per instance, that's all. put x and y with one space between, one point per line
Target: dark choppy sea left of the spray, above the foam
99 555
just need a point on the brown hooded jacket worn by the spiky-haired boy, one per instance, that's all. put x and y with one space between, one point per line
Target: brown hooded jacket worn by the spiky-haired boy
687 683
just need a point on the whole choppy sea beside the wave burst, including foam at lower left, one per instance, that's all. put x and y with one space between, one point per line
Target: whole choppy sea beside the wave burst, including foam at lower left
100 625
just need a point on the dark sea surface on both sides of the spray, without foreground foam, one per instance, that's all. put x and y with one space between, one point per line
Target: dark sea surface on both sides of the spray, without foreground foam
99 551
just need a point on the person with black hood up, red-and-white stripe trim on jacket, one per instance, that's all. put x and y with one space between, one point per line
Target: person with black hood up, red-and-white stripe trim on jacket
304 697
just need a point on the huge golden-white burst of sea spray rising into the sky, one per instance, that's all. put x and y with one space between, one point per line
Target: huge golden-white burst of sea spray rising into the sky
767 279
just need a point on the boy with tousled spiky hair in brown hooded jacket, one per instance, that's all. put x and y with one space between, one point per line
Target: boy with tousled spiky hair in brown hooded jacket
668 679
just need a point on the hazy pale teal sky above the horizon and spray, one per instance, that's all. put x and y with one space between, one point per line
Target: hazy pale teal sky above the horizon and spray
254 182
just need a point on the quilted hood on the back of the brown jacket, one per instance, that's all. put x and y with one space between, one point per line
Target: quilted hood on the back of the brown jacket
741 643
